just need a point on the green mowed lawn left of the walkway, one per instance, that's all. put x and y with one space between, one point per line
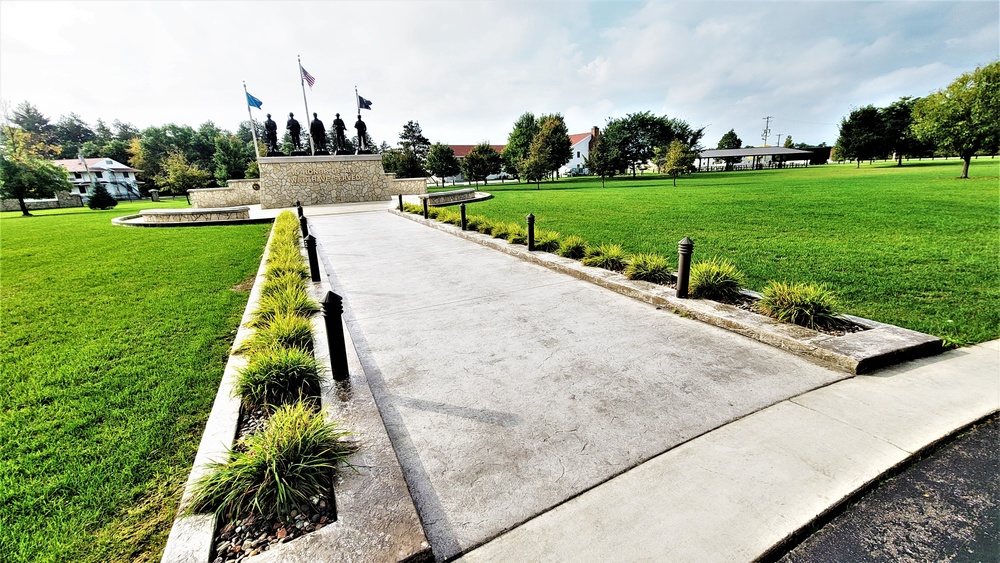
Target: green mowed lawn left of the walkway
112 345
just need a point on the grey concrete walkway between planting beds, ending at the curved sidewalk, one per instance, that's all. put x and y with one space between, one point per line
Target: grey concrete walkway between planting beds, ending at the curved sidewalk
509 389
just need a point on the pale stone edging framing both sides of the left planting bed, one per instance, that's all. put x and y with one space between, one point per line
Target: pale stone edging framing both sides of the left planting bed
376 517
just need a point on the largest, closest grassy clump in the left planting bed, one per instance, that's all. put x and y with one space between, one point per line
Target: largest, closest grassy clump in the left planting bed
290 461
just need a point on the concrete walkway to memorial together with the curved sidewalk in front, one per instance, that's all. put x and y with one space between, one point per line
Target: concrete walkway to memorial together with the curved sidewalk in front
540 418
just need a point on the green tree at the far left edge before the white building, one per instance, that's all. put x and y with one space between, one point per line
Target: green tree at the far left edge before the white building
25 171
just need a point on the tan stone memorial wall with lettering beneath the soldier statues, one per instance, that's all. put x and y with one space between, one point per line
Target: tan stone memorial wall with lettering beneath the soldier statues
318 180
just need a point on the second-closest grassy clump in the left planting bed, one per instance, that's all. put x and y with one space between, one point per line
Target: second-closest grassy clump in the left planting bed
276 376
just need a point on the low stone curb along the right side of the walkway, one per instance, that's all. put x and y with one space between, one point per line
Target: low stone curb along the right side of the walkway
861 352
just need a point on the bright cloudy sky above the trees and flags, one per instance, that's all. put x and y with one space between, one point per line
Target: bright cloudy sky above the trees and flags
466 70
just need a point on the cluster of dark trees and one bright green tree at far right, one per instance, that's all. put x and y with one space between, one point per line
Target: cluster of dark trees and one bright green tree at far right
961 120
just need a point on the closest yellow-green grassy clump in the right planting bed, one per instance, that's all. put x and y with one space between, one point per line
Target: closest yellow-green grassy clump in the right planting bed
806 304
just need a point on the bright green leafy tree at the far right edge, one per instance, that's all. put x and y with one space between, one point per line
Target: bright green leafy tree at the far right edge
964 118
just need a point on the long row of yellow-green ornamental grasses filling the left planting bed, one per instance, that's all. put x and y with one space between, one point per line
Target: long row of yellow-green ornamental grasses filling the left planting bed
276 482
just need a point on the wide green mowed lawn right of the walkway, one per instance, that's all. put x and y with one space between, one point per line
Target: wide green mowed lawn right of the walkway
911 245
